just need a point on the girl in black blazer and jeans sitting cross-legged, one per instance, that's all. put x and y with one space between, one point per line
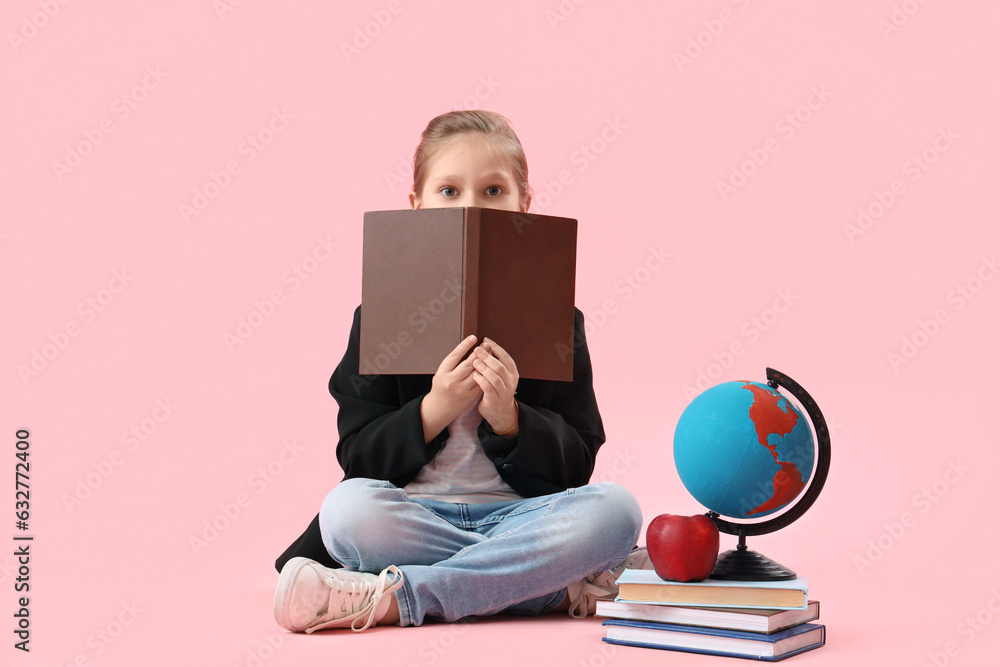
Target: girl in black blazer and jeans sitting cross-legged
460 498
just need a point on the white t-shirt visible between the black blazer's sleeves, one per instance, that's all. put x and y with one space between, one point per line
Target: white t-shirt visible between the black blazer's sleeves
461 472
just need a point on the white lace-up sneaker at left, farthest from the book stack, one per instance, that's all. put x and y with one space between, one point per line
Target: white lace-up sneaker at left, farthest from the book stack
311 597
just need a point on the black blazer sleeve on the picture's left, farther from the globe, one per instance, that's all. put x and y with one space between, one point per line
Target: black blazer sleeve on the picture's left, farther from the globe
381 433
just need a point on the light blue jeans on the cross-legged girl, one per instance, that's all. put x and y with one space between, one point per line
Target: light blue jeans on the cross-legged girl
458 560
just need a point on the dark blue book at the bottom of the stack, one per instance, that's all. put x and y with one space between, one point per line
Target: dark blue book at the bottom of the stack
712 641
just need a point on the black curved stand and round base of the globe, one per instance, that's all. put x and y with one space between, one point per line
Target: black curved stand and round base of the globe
741 564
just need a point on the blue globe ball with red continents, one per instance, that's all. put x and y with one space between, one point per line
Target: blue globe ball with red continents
743 450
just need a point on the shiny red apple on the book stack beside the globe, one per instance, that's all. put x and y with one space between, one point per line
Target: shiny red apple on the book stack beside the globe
682 548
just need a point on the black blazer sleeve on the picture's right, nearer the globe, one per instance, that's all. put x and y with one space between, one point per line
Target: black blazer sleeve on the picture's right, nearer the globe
560 431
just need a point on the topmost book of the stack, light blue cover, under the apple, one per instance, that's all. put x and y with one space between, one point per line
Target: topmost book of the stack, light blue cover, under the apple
645 586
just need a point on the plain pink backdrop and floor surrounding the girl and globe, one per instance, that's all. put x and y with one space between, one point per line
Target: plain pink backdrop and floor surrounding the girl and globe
898 572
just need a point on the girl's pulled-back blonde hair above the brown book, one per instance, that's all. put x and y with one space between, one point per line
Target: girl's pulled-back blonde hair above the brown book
500 138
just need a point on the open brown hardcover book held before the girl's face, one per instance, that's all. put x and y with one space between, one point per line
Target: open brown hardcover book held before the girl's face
431 277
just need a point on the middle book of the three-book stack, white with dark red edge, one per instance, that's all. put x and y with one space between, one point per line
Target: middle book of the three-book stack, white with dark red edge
765 621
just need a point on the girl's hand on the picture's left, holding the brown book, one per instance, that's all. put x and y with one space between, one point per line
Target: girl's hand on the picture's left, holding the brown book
453 389
